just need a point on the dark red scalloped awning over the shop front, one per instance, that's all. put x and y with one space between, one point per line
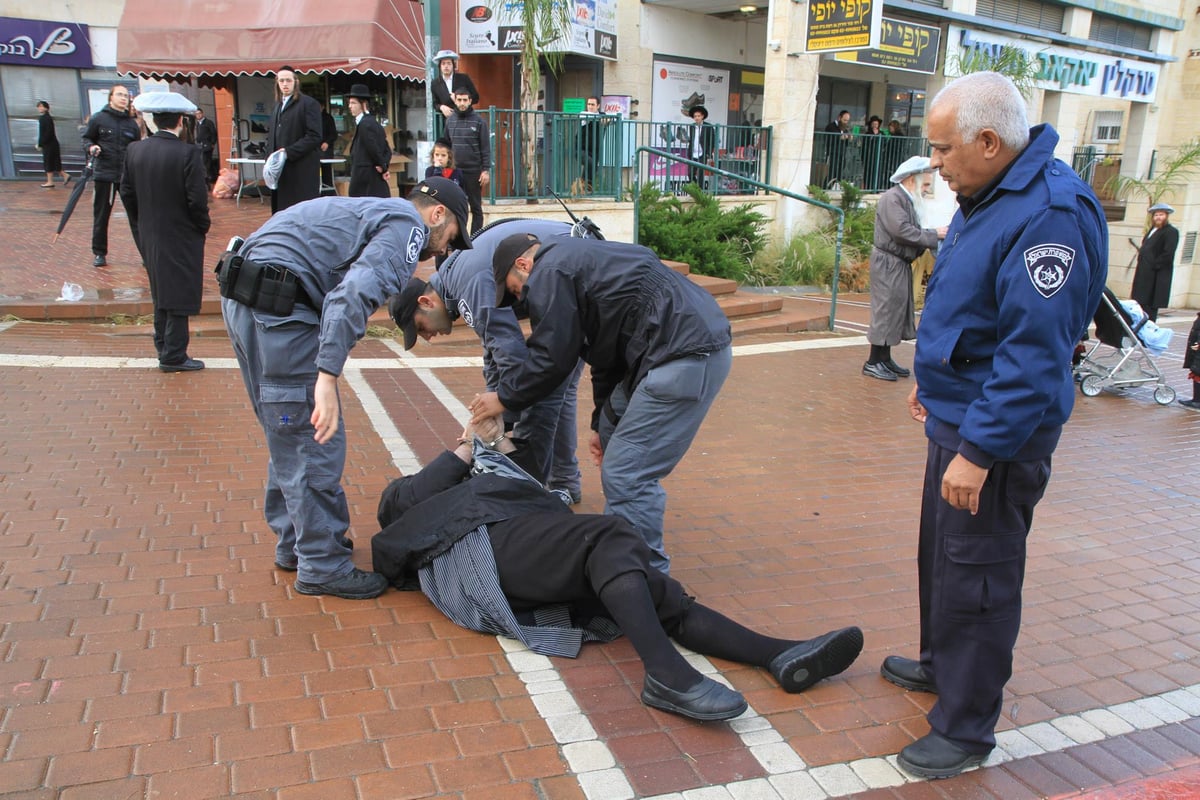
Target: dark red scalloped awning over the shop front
214 38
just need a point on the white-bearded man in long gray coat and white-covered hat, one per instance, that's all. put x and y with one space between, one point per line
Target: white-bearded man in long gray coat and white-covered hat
899 239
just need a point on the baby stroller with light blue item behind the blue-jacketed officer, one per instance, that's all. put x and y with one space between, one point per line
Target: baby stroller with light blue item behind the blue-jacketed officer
1130 360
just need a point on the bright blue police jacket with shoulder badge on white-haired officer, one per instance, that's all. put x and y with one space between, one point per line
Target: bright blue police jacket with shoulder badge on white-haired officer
1015 286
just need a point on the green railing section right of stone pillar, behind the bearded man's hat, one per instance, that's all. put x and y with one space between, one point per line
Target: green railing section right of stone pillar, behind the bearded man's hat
865 160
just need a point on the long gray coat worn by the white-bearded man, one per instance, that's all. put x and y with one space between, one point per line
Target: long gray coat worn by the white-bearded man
899 239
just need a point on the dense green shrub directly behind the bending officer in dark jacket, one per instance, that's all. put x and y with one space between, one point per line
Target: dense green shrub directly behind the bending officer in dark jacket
711 239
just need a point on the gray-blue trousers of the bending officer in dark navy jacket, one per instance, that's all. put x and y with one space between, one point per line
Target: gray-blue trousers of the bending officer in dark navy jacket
655 429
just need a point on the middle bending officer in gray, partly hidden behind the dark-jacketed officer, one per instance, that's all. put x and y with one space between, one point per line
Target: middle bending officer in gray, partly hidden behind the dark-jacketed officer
466 290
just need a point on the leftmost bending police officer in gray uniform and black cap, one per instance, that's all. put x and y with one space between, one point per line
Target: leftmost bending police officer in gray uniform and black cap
298 296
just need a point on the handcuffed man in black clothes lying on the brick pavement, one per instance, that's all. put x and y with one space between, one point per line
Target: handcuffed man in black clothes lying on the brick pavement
499 555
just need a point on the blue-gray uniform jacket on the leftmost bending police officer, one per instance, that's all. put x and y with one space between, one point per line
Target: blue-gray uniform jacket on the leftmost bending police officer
350 255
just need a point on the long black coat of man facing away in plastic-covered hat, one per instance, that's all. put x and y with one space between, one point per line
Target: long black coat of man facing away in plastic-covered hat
166 196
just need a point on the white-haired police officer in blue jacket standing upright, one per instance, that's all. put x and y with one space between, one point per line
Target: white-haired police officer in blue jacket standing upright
1016 282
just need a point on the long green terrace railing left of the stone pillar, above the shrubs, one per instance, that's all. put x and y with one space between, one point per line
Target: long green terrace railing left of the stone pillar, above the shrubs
583 155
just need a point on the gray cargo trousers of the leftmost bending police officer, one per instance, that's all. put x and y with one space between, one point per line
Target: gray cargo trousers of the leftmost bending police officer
304 506
